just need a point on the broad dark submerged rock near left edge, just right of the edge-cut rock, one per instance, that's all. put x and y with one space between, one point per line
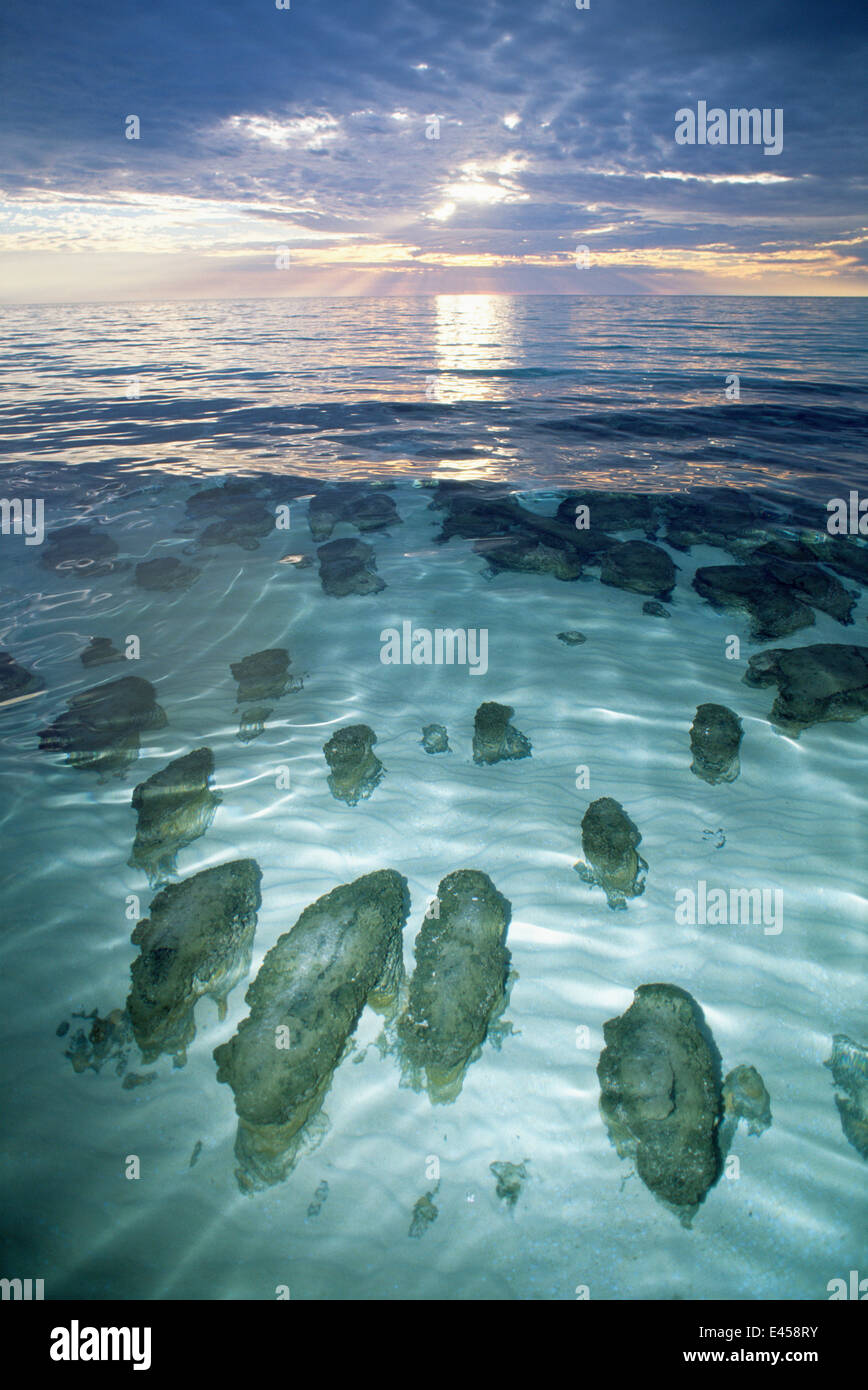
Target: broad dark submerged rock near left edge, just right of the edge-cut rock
101 729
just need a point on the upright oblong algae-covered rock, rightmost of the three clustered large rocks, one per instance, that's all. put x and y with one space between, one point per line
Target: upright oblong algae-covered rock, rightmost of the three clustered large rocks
460 986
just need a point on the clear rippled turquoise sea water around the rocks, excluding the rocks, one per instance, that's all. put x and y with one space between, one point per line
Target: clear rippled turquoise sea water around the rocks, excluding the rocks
115 416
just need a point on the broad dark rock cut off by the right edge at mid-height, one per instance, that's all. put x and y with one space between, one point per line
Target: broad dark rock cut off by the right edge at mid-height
816 685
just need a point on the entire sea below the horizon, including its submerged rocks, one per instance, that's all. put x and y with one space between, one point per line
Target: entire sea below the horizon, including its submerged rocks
570 477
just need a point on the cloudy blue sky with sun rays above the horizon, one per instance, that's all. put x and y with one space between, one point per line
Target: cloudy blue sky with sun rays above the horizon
428 147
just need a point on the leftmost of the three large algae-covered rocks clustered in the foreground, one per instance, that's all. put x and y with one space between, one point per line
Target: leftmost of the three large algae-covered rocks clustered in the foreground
198 940
